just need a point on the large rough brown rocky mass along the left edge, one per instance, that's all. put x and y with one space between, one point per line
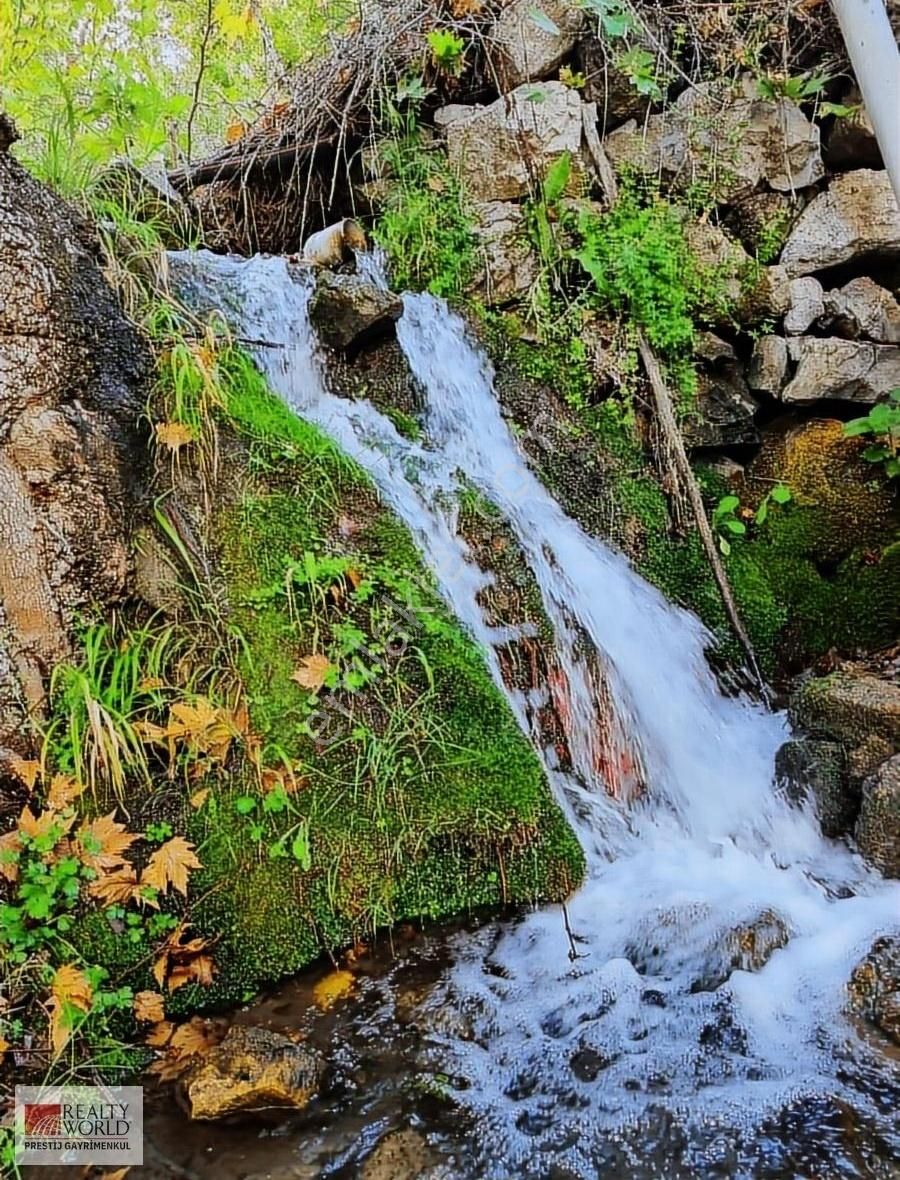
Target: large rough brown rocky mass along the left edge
73 373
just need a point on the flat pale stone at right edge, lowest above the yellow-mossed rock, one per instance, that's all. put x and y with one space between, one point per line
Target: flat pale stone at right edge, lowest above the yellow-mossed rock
844 370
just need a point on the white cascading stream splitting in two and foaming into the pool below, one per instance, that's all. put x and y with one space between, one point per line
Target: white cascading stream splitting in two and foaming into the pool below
701 991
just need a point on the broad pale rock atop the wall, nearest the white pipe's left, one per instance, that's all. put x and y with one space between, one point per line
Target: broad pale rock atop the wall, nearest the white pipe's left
734 141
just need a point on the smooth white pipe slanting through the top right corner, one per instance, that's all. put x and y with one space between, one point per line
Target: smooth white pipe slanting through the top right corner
876 61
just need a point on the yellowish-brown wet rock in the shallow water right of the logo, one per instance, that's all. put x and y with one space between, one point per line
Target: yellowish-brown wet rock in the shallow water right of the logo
253 1070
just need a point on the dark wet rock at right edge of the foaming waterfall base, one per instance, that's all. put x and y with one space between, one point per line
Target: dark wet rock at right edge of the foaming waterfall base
818 768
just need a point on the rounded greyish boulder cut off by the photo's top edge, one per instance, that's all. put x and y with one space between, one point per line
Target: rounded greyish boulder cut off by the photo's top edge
523 49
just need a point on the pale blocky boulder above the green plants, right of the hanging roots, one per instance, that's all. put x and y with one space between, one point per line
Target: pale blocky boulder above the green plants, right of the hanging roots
498 150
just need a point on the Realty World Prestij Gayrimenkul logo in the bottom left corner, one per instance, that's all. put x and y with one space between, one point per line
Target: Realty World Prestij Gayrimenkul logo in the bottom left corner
80 1125
